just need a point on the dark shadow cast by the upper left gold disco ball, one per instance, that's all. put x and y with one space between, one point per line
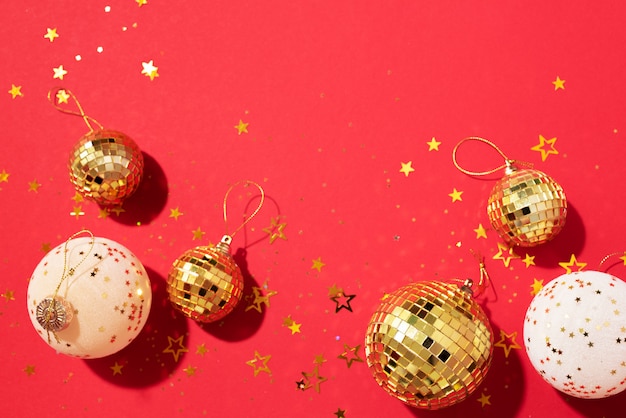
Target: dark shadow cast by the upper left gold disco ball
149 199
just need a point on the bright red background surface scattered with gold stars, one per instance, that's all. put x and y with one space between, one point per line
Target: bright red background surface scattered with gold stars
336 96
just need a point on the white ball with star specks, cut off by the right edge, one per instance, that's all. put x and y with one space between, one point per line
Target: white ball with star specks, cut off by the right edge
575 334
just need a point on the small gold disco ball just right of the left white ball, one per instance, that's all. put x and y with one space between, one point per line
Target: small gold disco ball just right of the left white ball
205 283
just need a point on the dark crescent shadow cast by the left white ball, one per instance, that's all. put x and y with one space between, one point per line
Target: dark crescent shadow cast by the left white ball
146 361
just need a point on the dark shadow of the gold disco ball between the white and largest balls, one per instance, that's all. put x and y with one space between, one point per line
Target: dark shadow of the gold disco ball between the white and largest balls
244 321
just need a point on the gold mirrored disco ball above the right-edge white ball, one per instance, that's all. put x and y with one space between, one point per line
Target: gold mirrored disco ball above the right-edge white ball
527 207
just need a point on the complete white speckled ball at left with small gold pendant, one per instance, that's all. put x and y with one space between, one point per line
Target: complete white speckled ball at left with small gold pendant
89 298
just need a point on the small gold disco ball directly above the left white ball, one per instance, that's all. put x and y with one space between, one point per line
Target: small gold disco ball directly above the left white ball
106 166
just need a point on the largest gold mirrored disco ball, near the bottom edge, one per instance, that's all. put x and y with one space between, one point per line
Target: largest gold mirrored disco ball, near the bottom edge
429 344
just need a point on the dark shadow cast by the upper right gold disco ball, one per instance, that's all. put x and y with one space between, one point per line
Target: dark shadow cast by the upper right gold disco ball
571 240
